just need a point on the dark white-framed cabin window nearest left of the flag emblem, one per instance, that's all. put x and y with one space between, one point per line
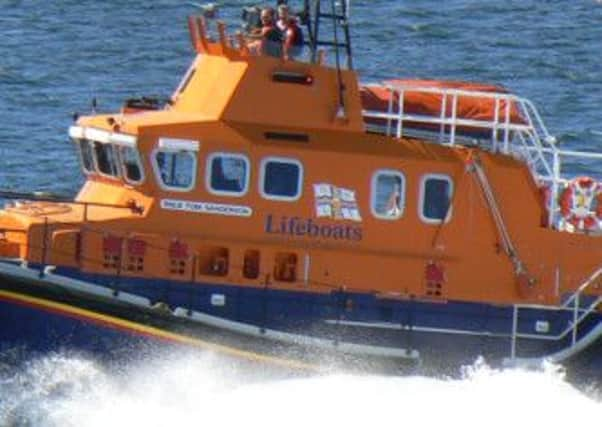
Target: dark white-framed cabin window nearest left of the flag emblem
281 179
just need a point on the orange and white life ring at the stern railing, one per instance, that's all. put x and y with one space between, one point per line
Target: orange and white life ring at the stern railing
581 204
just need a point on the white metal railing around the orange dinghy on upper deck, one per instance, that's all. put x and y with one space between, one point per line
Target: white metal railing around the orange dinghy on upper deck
513 126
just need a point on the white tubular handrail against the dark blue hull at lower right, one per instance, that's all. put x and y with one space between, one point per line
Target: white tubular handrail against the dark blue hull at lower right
573 303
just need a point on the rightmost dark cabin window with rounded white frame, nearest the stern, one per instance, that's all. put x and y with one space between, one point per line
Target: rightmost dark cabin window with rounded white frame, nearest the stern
435 198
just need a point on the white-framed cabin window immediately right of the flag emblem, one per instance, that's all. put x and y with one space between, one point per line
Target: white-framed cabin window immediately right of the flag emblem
388 194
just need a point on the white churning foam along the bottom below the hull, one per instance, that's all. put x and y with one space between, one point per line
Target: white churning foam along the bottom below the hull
61 390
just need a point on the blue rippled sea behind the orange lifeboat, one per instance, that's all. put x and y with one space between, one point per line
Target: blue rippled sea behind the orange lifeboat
55 56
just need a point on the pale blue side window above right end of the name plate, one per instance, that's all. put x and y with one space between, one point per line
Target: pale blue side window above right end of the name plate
228 174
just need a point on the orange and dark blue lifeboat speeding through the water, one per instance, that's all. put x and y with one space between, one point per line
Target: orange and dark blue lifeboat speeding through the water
286 201
